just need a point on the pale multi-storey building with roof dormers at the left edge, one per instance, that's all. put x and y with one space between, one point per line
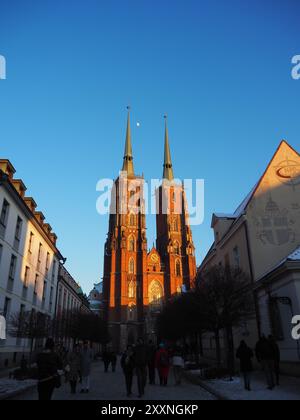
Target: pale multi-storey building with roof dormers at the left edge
29 260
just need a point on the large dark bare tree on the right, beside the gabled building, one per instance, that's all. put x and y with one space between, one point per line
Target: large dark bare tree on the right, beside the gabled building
221 300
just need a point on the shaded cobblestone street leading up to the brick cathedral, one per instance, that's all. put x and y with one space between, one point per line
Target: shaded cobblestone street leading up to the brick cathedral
111 386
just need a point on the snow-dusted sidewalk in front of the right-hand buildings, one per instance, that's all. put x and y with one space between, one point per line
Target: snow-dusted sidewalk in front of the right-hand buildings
289 389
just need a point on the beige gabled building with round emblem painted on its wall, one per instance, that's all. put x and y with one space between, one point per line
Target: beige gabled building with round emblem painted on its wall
263 238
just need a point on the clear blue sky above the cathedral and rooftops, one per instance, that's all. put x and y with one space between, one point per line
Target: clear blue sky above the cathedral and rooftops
220 69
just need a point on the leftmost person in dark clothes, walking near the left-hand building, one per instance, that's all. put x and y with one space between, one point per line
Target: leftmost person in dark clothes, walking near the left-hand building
49 365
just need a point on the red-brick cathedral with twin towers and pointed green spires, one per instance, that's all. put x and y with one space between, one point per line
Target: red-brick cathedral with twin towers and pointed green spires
138 282
